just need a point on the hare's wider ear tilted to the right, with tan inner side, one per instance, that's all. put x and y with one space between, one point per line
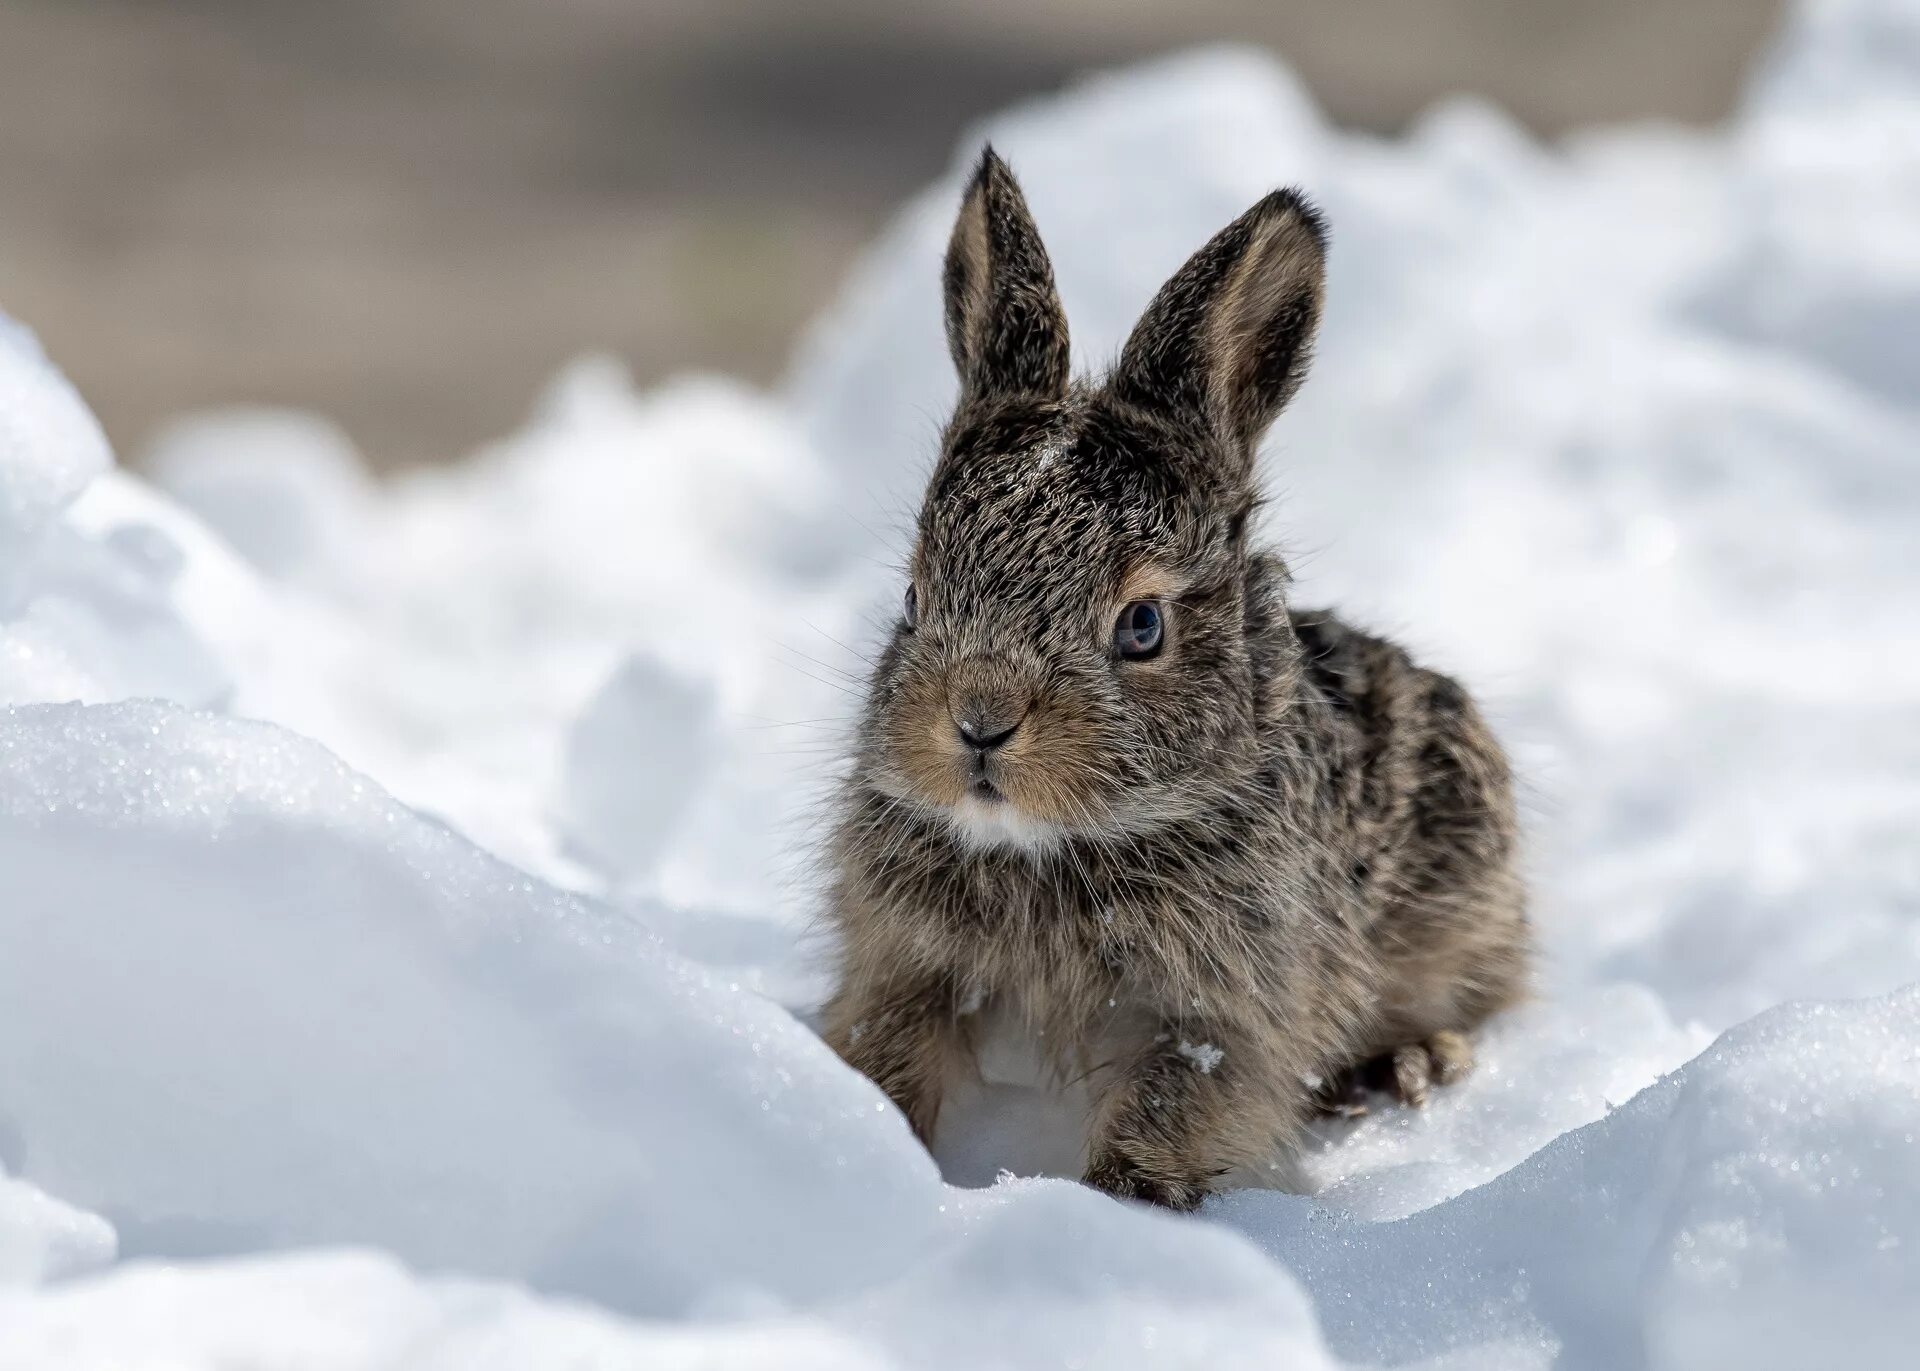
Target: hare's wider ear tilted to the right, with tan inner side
1228 341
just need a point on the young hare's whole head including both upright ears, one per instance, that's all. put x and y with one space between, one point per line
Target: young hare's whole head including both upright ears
1072 656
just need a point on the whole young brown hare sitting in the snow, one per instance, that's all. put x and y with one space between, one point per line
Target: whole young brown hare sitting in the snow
1222 859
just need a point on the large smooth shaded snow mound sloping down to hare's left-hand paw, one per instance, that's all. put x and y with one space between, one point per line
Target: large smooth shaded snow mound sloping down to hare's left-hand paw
270 1007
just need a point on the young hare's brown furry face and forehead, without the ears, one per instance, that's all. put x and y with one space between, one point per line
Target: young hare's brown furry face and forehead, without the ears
1074 654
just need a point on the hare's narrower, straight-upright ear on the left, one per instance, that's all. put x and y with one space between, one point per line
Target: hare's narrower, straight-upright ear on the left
1003 316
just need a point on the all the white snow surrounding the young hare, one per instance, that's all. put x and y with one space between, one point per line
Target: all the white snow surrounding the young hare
406 950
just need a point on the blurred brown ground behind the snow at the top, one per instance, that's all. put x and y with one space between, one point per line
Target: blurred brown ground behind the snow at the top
408 214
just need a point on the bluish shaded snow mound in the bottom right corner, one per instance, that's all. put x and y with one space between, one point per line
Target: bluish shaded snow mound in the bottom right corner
1756 1209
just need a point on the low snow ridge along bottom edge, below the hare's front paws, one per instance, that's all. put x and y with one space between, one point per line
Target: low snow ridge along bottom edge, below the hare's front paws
1057 1274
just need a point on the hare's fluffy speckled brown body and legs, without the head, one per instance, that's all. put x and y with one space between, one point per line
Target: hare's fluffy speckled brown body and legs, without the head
1366 907
